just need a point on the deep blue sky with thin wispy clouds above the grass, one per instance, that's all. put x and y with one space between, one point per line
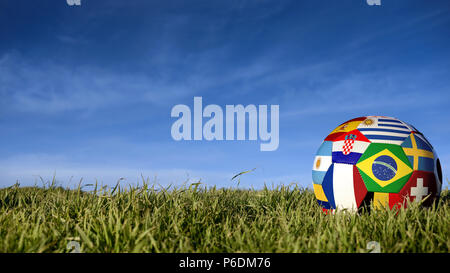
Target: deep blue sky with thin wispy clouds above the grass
86 91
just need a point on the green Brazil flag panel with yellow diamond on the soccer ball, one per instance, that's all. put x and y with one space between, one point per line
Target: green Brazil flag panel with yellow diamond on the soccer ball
384 168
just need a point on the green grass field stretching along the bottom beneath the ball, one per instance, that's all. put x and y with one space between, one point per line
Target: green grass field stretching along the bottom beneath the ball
196 219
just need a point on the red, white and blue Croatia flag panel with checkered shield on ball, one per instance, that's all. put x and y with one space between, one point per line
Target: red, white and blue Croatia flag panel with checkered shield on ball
348 147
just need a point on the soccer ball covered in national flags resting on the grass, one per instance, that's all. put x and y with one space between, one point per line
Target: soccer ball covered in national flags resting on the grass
375 159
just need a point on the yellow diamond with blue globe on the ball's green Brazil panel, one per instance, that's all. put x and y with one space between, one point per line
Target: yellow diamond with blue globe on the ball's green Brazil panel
384 168
